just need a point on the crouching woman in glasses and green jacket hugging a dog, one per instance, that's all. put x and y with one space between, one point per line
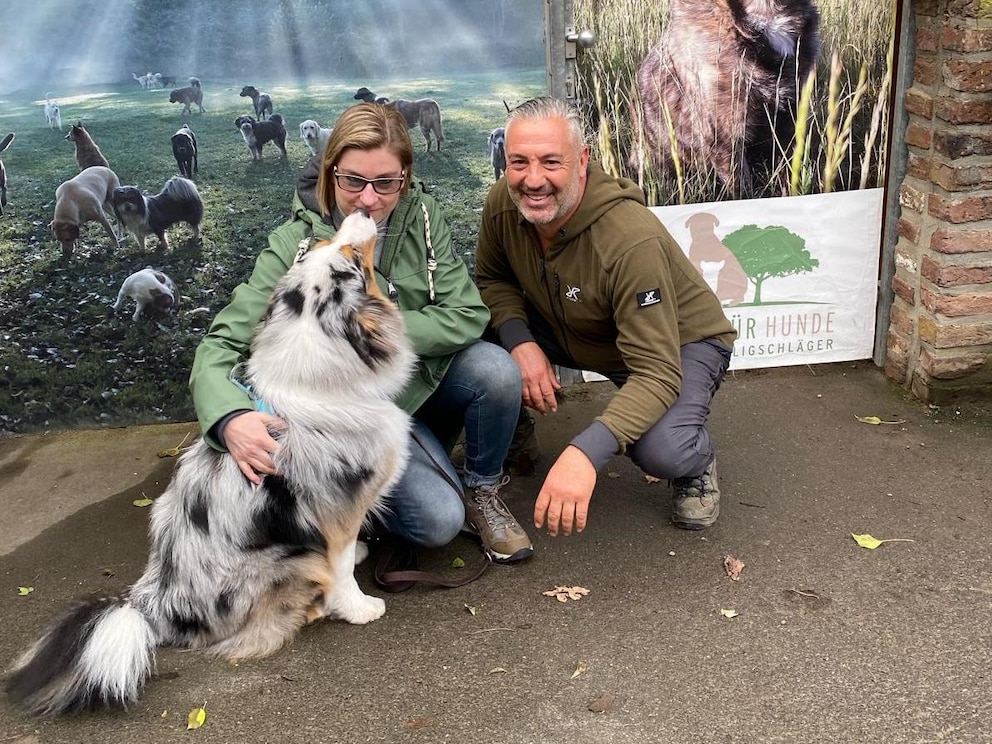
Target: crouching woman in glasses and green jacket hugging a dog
460 380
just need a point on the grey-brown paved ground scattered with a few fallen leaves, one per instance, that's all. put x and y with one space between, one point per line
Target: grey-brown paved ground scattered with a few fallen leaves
831 642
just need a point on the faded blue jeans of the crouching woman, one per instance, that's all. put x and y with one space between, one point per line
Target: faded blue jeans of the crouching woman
481 392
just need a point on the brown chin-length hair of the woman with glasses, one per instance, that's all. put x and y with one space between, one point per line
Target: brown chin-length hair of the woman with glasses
364 126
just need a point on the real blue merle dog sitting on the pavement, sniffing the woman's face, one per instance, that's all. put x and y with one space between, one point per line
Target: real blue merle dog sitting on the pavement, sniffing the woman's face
238 569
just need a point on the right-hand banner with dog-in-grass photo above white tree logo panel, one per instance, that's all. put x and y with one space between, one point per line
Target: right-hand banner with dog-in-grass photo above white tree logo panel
758 131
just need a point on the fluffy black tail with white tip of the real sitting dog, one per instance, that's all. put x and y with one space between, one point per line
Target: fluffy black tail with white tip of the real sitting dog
98 654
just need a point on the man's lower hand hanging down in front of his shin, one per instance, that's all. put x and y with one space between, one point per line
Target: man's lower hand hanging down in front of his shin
564 497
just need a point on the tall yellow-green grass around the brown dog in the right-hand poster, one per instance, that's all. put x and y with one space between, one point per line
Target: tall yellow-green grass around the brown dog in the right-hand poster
842 111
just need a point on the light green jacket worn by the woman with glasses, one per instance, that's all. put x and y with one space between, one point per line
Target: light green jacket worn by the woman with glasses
437 331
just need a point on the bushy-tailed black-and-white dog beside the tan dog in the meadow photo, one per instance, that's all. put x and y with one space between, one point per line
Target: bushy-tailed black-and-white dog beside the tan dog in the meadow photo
178 201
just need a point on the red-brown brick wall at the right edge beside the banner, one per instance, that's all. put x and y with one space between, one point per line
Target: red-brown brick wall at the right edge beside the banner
940 332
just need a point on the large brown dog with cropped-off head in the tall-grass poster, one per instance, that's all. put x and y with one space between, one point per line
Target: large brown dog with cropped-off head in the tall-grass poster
728 72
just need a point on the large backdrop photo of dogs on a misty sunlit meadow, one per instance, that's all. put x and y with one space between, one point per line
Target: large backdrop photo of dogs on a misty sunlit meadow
112 66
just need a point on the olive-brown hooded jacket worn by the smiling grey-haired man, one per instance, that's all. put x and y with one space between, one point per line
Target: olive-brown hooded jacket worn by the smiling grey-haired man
616 288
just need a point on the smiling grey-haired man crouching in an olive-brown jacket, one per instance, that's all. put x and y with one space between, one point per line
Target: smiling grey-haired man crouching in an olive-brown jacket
578 272
